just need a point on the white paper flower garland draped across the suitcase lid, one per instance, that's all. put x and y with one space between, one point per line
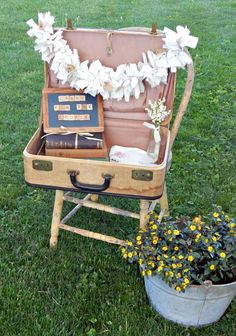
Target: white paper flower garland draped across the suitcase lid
94 78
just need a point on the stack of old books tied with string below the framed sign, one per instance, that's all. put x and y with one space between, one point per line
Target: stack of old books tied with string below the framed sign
76 145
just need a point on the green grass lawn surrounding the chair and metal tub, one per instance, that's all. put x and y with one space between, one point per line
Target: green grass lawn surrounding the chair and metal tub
85 288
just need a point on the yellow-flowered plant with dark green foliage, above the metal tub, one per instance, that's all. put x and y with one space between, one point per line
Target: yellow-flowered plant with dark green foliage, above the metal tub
184 251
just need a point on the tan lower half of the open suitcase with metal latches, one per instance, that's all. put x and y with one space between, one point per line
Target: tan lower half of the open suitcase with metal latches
144 182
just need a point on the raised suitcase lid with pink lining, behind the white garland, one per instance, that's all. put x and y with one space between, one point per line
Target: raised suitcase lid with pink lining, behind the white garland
127 47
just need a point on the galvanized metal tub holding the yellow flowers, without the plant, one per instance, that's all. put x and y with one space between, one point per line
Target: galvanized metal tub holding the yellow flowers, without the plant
199 305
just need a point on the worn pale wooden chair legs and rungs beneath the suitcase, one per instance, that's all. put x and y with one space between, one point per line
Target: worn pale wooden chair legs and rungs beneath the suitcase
90 201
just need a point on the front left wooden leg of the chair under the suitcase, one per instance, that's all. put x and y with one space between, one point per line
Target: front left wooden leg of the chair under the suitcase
56 218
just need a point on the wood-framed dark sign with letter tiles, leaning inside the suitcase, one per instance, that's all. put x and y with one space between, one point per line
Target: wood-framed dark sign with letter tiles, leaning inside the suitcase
71 110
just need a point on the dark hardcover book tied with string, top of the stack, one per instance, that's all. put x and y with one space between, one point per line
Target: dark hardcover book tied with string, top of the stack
74 141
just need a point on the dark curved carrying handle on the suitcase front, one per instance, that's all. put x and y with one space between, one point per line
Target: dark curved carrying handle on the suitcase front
90 187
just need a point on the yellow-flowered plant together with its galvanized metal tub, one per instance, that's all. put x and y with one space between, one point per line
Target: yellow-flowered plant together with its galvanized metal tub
189 266
